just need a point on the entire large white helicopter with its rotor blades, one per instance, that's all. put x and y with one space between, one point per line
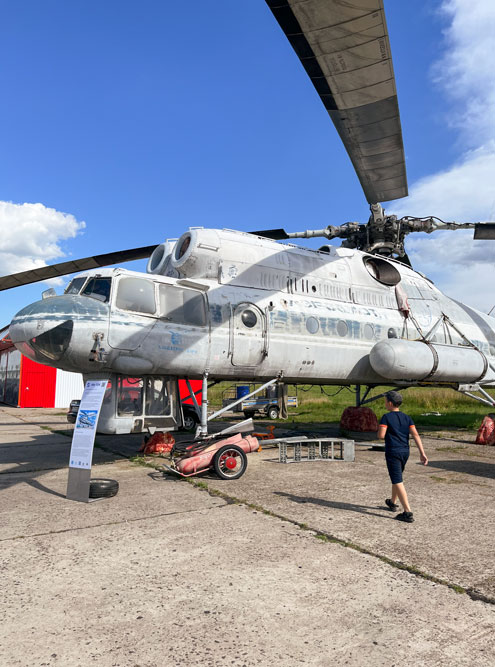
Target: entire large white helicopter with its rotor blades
223 305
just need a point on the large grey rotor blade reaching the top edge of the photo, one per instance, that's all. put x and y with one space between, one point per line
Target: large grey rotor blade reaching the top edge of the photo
344 48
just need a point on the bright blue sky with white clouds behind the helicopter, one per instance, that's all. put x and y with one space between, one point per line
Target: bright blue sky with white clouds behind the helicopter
127 122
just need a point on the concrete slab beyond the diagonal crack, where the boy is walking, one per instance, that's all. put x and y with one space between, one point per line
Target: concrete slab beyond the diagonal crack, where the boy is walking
453 534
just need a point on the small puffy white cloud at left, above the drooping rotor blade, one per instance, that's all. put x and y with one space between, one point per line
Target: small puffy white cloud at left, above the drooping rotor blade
31 235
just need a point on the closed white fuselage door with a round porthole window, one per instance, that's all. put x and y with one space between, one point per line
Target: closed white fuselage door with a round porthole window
248 335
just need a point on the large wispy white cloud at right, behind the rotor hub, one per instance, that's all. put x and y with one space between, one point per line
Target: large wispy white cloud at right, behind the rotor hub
465 192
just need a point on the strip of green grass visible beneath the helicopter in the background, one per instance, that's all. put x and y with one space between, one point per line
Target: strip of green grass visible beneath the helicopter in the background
326 404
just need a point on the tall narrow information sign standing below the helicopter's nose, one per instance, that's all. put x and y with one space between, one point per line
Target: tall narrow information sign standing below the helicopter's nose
81 452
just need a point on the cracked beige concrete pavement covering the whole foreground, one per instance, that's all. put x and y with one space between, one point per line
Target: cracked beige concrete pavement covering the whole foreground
166 573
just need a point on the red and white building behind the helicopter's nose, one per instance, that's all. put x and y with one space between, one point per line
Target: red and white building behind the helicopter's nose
27 384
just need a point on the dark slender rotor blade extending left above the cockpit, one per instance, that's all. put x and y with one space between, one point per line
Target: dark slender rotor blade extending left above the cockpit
74 266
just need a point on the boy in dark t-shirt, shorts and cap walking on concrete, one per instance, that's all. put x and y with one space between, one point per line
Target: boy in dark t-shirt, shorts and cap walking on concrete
395 427
